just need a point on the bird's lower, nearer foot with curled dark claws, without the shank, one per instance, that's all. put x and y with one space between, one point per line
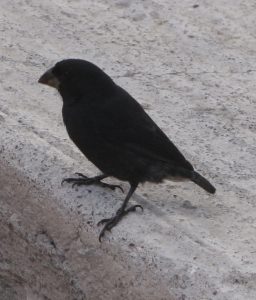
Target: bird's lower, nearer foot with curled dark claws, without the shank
111 222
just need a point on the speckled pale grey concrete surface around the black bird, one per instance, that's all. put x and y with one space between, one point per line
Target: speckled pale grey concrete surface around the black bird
192 66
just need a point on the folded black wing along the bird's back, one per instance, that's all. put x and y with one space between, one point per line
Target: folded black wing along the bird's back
124 122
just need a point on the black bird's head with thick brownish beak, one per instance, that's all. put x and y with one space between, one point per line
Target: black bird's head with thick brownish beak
75 77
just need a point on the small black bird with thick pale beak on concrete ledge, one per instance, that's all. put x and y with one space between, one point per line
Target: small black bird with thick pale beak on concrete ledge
115 133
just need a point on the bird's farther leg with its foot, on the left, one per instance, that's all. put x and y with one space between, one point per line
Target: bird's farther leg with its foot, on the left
84 180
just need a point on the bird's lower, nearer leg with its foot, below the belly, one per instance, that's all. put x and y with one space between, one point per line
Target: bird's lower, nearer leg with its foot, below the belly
122 211
